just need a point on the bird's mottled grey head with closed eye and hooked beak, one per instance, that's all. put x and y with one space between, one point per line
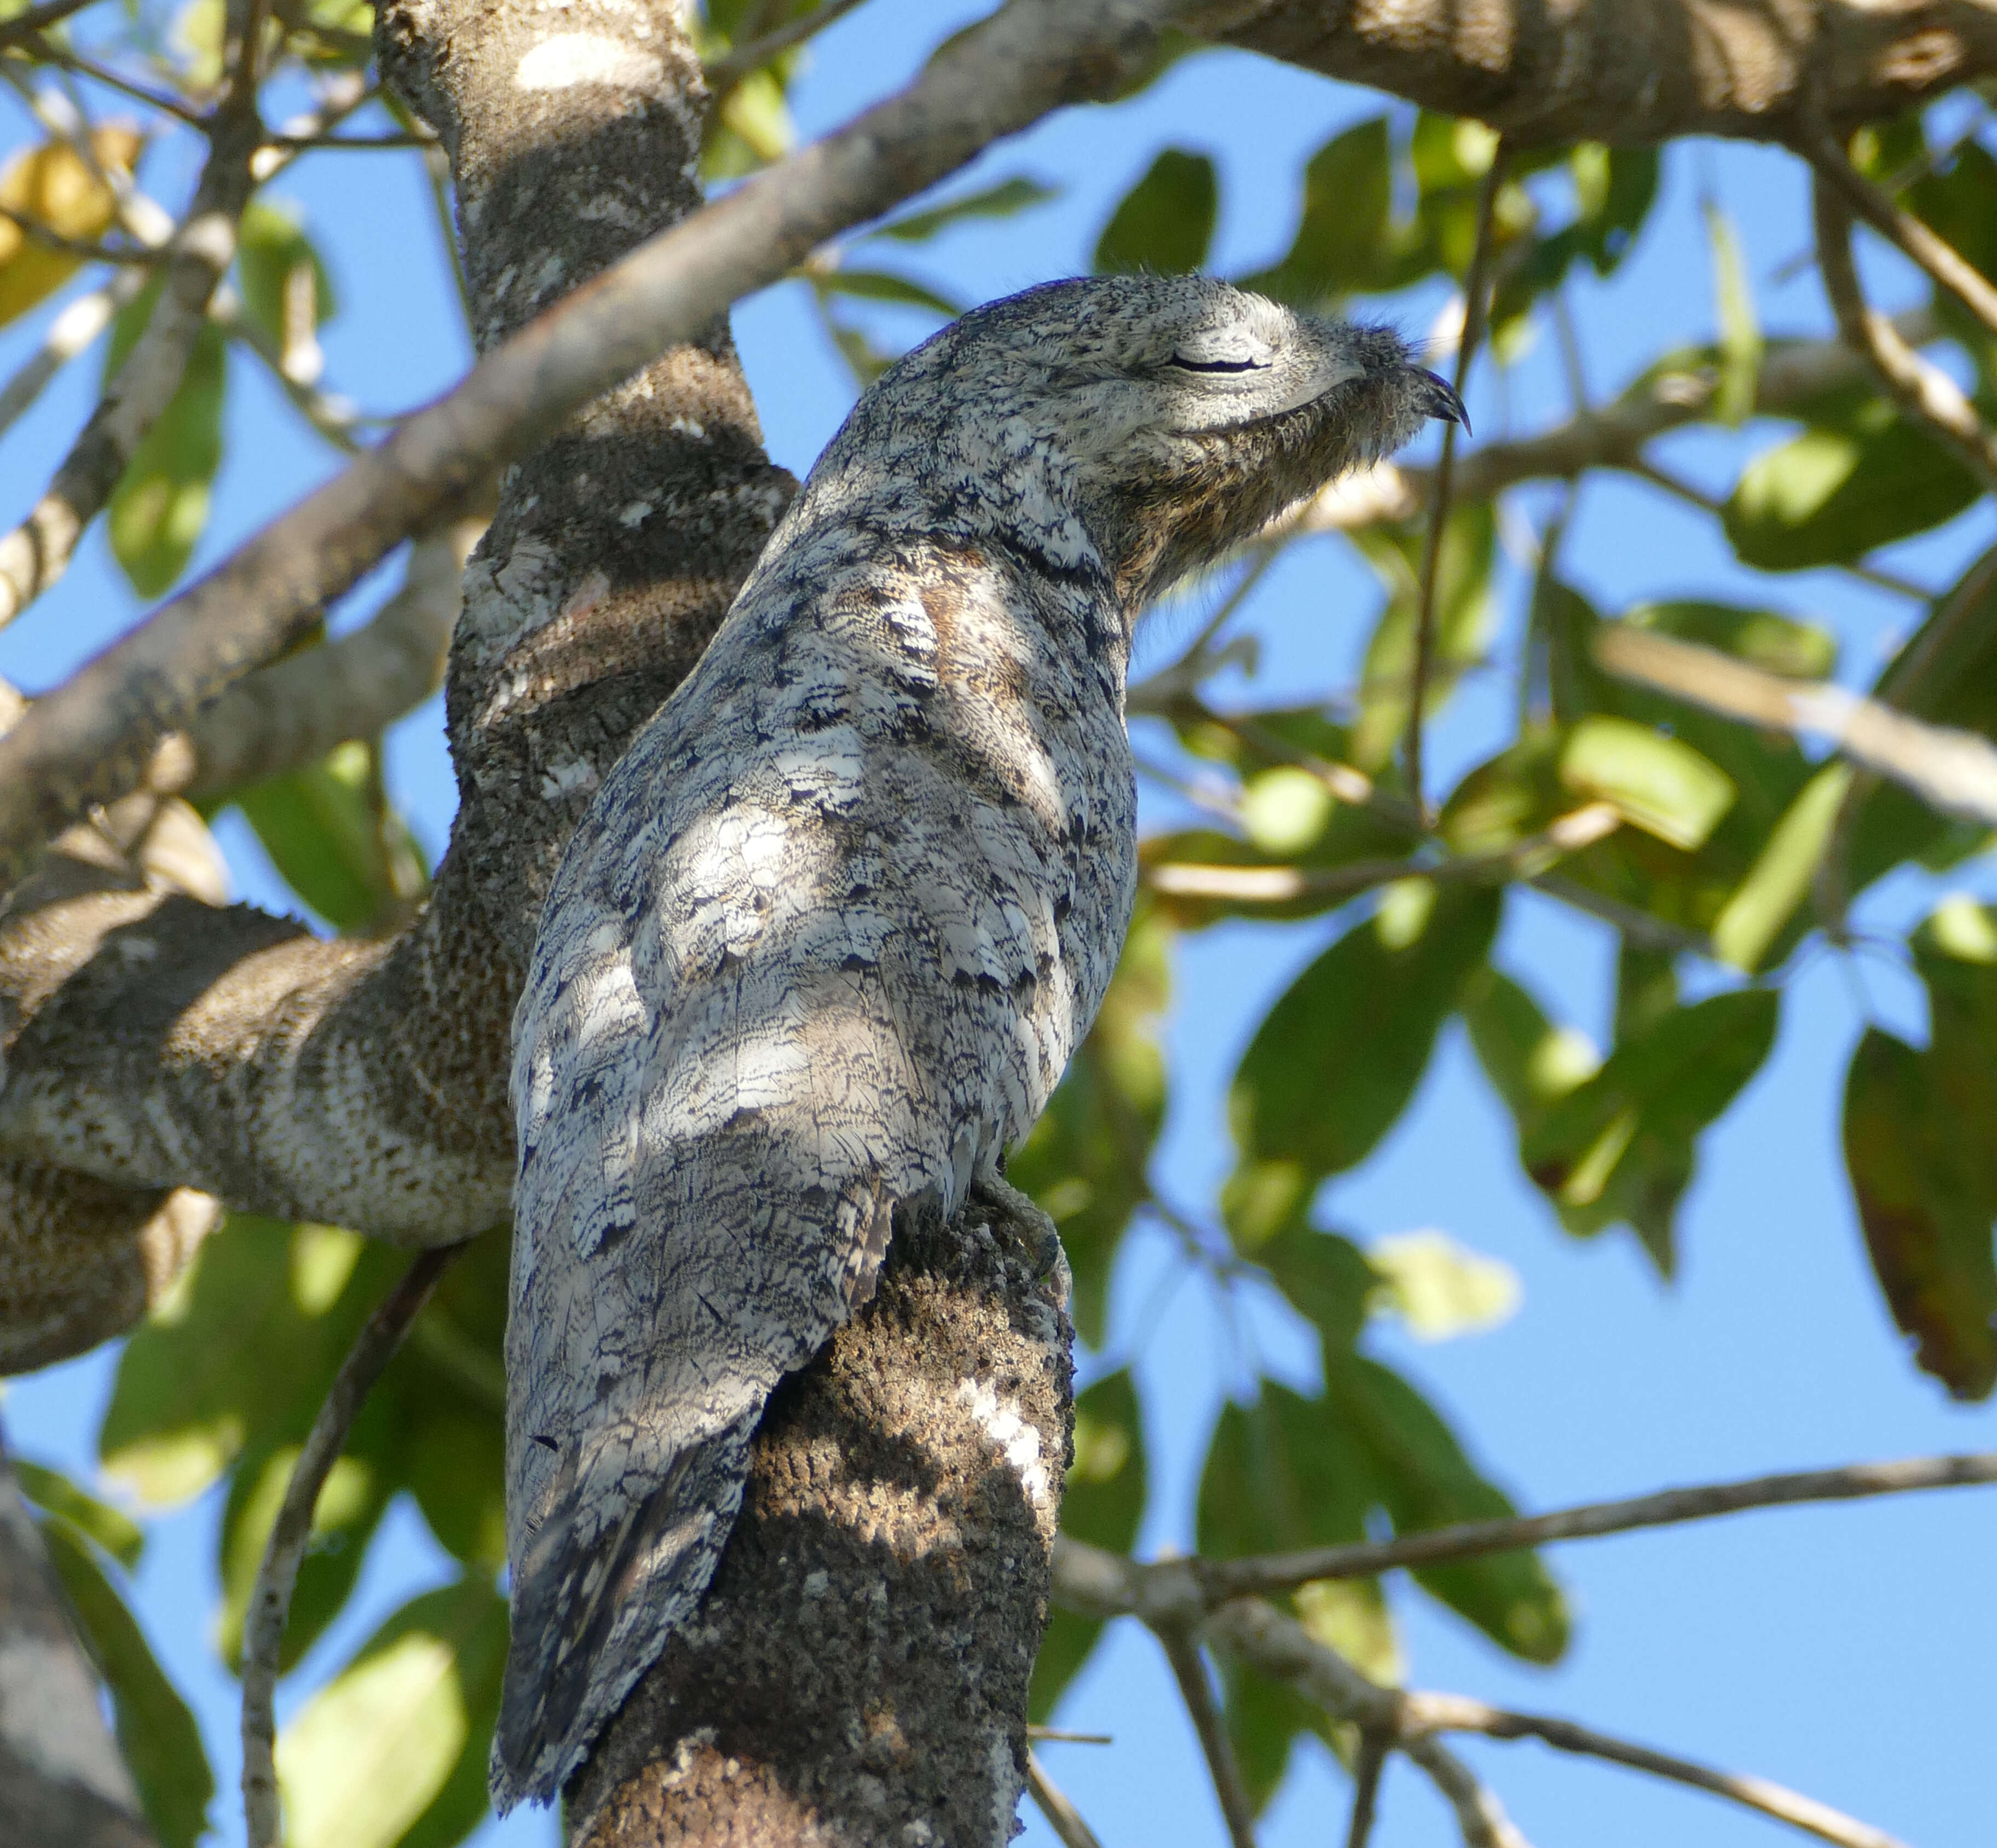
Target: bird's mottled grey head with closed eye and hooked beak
1167 419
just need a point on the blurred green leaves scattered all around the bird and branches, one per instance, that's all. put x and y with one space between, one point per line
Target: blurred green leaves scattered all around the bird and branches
1728 854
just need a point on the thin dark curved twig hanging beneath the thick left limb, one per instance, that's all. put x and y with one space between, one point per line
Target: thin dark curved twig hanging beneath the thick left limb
271 1603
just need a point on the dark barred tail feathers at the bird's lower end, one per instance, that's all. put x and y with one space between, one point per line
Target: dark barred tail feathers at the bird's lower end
594 1603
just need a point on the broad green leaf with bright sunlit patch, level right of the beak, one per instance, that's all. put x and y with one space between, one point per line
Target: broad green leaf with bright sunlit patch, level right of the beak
1834 494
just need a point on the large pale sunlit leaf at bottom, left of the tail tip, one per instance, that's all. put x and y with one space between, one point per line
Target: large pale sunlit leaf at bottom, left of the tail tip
394 1749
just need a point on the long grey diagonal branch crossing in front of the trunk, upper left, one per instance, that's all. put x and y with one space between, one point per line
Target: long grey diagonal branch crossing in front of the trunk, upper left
93 738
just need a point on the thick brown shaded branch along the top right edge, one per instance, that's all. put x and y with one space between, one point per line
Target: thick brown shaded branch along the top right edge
1639 71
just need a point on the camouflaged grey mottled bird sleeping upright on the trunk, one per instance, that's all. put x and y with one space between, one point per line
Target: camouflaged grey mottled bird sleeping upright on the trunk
836 924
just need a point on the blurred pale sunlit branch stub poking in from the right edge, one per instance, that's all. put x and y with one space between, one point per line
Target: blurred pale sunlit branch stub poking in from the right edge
1950 770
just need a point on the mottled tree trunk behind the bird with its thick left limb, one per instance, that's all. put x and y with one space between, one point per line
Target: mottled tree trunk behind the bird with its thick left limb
153 1046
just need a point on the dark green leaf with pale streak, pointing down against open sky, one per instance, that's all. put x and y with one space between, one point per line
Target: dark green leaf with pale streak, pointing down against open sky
1621 1144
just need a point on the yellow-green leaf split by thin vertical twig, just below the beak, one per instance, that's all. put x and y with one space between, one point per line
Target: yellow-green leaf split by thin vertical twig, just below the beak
1465 612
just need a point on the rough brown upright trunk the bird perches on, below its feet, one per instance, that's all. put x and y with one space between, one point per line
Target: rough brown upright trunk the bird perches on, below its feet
860 1669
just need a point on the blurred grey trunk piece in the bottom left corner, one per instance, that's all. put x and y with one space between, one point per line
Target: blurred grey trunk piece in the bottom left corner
61 1775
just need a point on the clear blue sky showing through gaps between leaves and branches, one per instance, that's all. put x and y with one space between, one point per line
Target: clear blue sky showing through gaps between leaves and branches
1842 1651
